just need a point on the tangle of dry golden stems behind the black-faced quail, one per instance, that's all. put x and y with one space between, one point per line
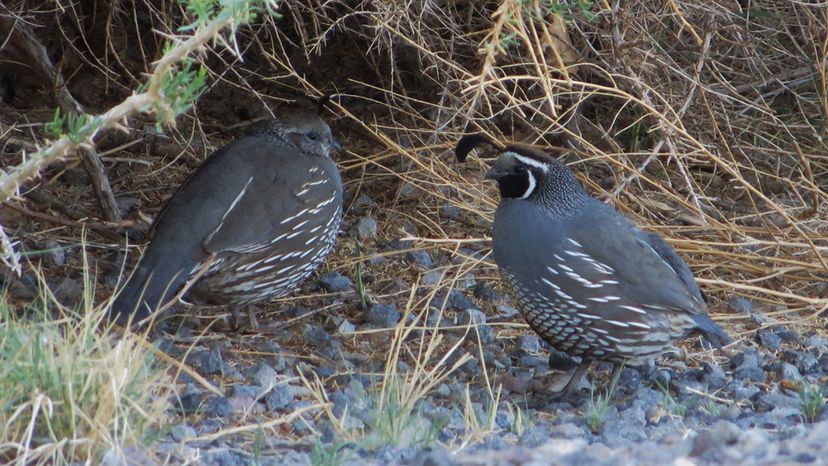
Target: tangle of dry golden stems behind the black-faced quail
704 122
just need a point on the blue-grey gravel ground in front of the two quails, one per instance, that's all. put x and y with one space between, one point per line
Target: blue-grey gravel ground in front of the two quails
740 406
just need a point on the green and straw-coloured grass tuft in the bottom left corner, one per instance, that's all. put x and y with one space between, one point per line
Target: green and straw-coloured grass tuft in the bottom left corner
69 391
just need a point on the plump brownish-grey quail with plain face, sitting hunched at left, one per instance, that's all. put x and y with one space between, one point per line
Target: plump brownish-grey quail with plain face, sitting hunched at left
251 223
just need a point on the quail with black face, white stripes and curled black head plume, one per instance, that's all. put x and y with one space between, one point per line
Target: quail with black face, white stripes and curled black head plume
586 279
